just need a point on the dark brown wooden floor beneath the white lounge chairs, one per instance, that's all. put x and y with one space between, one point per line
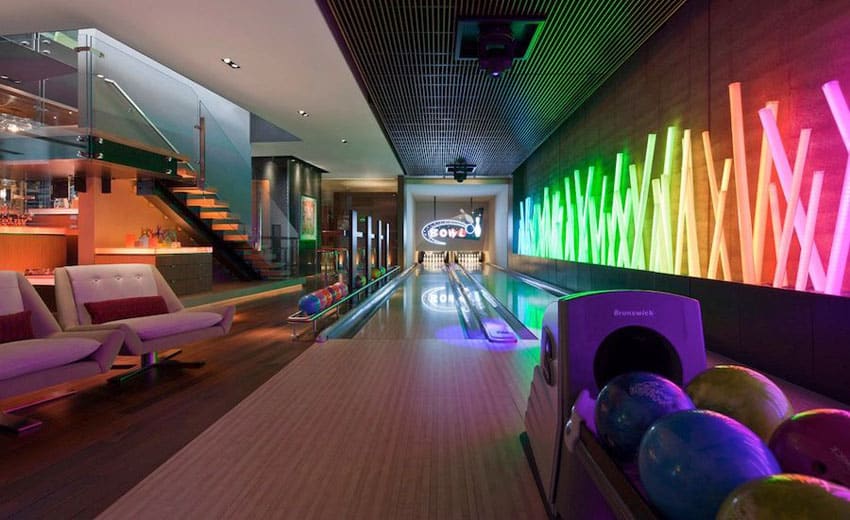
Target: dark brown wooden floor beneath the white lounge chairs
96 445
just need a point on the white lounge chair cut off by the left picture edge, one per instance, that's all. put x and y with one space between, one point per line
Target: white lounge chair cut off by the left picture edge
51 356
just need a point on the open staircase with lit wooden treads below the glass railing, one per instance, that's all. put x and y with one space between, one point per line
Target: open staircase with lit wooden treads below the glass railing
215 213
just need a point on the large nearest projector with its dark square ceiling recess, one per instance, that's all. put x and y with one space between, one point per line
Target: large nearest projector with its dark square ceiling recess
496 42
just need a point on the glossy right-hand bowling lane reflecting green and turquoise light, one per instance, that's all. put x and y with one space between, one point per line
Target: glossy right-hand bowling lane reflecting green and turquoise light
528 303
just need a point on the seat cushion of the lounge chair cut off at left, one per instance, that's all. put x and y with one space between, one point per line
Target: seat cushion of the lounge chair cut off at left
24 357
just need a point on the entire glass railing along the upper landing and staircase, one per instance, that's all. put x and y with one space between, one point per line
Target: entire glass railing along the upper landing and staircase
80 95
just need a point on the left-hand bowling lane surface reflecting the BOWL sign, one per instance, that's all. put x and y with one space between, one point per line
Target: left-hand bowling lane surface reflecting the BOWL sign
421 308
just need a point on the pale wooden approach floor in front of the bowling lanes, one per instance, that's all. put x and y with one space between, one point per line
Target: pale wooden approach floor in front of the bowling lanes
361 429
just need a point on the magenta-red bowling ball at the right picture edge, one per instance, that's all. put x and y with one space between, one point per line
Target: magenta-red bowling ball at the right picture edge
816 443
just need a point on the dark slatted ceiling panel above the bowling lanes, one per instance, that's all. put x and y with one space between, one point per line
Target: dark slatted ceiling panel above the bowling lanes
435 108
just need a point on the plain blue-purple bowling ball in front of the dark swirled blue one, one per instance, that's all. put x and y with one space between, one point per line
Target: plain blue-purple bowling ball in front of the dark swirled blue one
690 461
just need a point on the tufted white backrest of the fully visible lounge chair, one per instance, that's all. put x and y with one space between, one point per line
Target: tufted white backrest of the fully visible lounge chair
94 283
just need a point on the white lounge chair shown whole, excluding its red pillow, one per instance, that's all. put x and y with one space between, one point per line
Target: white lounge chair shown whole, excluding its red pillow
143 336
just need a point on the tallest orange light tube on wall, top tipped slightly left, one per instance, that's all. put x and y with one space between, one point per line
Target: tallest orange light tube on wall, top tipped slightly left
742 190
